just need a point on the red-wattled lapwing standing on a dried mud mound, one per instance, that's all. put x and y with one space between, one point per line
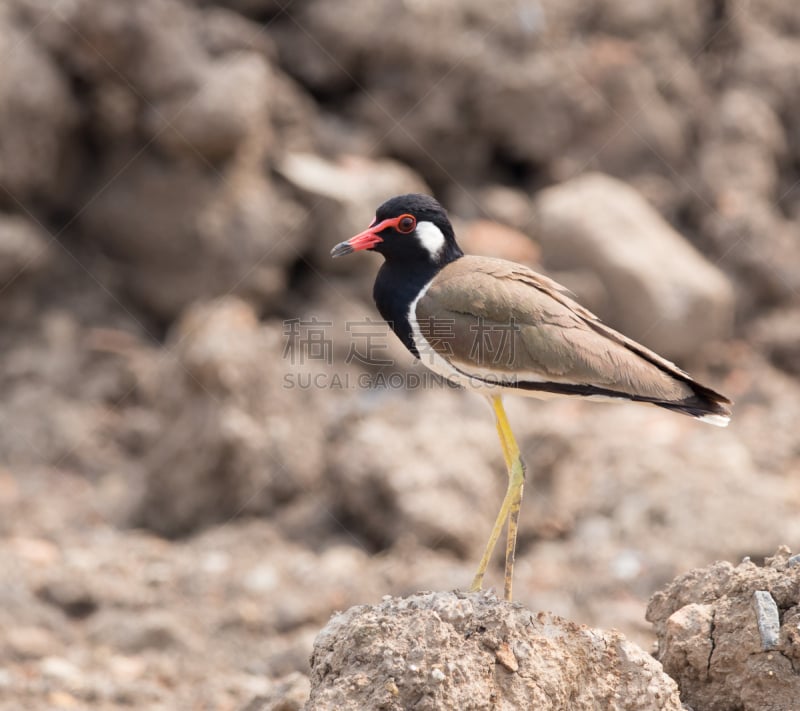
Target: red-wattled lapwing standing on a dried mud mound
498 327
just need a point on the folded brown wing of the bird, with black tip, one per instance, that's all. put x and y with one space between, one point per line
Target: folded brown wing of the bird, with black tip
496 319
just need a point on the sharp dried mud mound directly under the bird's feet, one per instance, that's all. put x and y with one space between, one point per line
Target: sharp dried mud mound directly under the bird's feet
471 651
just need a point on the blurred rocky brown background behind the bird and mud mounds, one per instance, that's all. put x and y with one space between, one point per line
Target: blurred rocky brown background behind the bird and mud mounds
208 441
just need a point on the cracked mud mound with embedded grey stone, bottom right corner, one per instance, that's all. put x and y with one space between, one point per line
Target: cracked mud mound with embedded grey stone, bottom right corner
729 635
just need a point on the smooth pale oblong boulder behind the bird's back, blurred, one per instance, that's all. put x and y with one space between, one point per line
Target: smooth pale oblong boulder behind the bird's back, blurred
661 291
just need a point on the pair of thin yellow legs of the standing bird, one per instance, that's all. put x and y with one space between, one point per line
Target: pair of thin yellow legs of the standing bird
509 509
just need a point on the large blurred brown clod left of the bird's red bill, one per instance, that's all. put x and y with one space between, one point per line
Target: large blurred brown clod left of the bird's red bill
229 232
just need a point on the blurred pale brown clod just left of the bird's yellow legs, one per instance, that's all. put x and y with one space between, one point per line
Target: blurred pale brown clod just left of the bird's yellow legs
441 486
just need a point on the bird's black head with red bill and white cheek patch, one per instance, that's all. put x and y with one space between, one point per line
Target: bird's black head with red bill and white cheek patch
407 228
